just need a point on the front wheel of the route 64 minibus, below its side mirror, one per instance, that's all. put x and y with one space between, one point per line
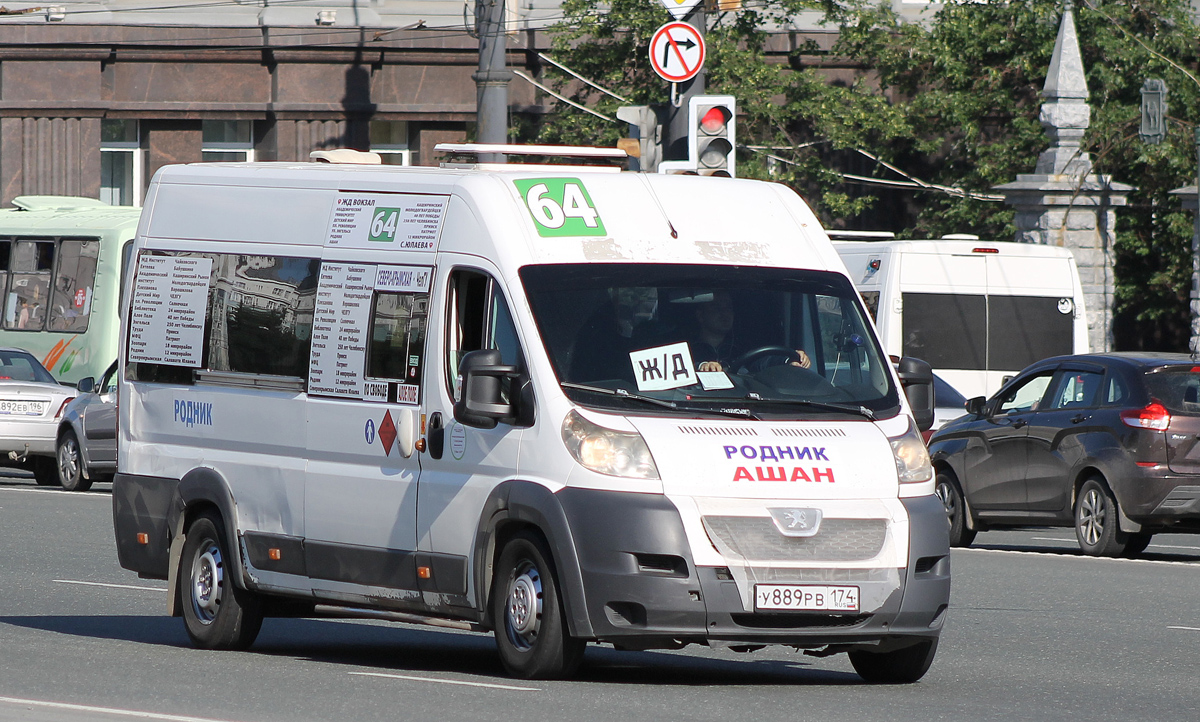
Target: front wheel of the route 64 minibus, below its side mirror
531 628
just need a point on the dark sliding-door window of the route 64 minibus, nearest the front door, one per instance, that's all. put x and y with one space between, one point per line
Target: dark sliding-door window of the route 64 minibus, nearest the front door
398 338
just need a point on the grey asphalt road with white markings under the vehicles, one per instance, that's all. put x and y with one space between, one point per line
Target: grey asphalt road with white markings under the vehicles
1036 633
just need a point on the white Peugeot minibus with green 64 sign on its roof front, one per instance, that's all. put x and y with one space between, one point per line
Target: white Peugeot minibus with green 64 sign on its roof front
494 398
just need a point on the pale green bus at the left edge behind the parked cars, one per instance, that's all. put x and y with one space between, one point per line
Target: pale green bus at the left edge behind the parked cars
63 264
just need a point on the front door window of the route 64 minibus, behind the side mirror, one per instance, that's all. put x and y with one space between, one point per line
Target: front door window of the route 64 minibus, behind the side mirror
479 320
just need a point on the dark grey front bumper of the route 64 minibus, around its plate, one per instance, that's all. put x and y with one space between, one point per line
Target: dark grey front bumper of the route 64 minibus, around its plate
644 591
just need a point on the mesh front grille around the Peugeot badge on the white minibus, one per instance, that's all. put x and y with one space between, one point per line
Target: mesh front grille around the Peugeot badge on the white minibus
758 539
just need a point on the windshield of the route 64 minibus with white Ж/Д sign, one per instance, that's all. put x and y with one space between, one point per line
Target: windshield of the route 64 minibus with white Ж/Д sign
709 339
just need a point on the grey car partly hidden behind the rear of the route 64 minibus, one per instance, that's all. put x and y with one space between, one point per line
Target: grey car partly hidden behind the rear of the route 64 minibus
87 440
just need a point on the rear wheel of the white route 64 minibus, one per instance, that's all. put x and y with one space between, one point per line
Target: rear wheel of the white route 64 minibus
218 613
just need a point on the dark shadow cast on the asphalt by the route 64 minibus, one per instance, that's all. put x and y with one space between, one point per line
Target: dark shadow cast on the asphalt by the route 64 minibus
395 649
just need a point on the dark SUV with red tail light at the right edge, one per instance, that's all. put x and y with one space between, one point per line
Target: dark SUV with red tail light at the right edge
1107 443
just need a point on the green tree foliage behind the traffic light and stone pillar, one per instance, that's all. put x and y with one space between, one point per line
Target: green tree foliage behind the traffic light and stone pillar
953 103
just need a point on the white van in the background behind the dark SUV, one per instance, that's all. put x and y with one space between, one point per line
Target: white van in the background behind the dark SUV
976 311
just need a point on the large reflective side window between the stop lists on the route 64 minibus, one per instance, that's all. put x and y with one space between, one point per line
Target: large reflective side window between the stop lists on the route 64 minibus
255 329
